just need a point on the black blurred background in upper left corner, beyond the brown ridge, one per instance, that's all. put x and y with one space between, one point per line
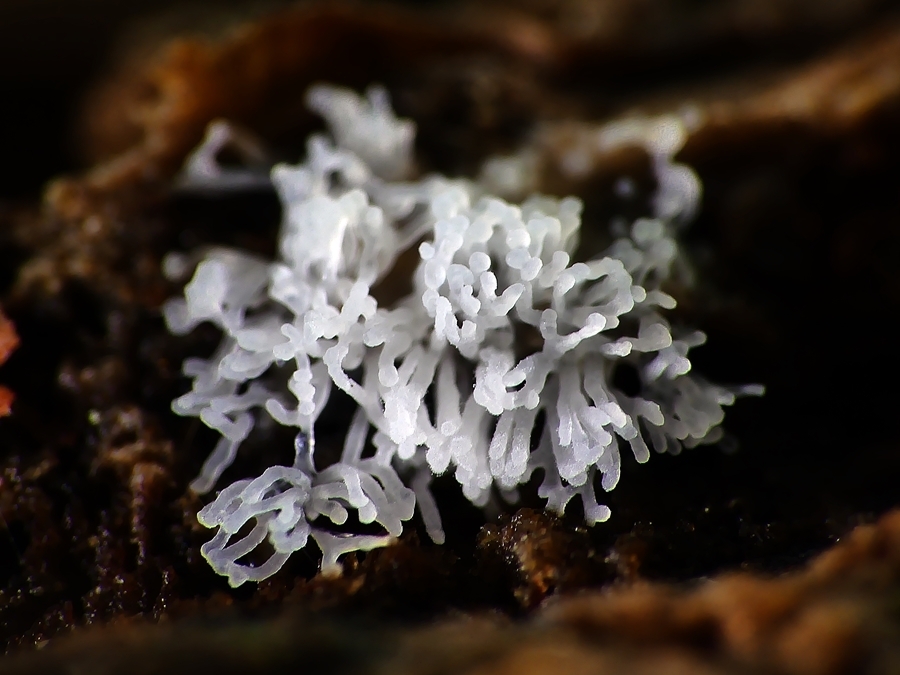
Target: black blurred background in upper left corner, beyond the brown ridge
52 50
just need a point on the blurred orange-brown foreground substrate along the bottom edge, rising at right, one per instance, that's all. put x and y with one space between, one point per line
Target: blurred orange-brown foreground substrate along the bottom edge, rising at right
837 615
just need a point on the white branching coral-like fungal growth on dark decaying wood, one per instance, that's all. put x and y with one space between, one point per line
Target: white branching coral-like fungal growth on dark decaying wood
499 363
